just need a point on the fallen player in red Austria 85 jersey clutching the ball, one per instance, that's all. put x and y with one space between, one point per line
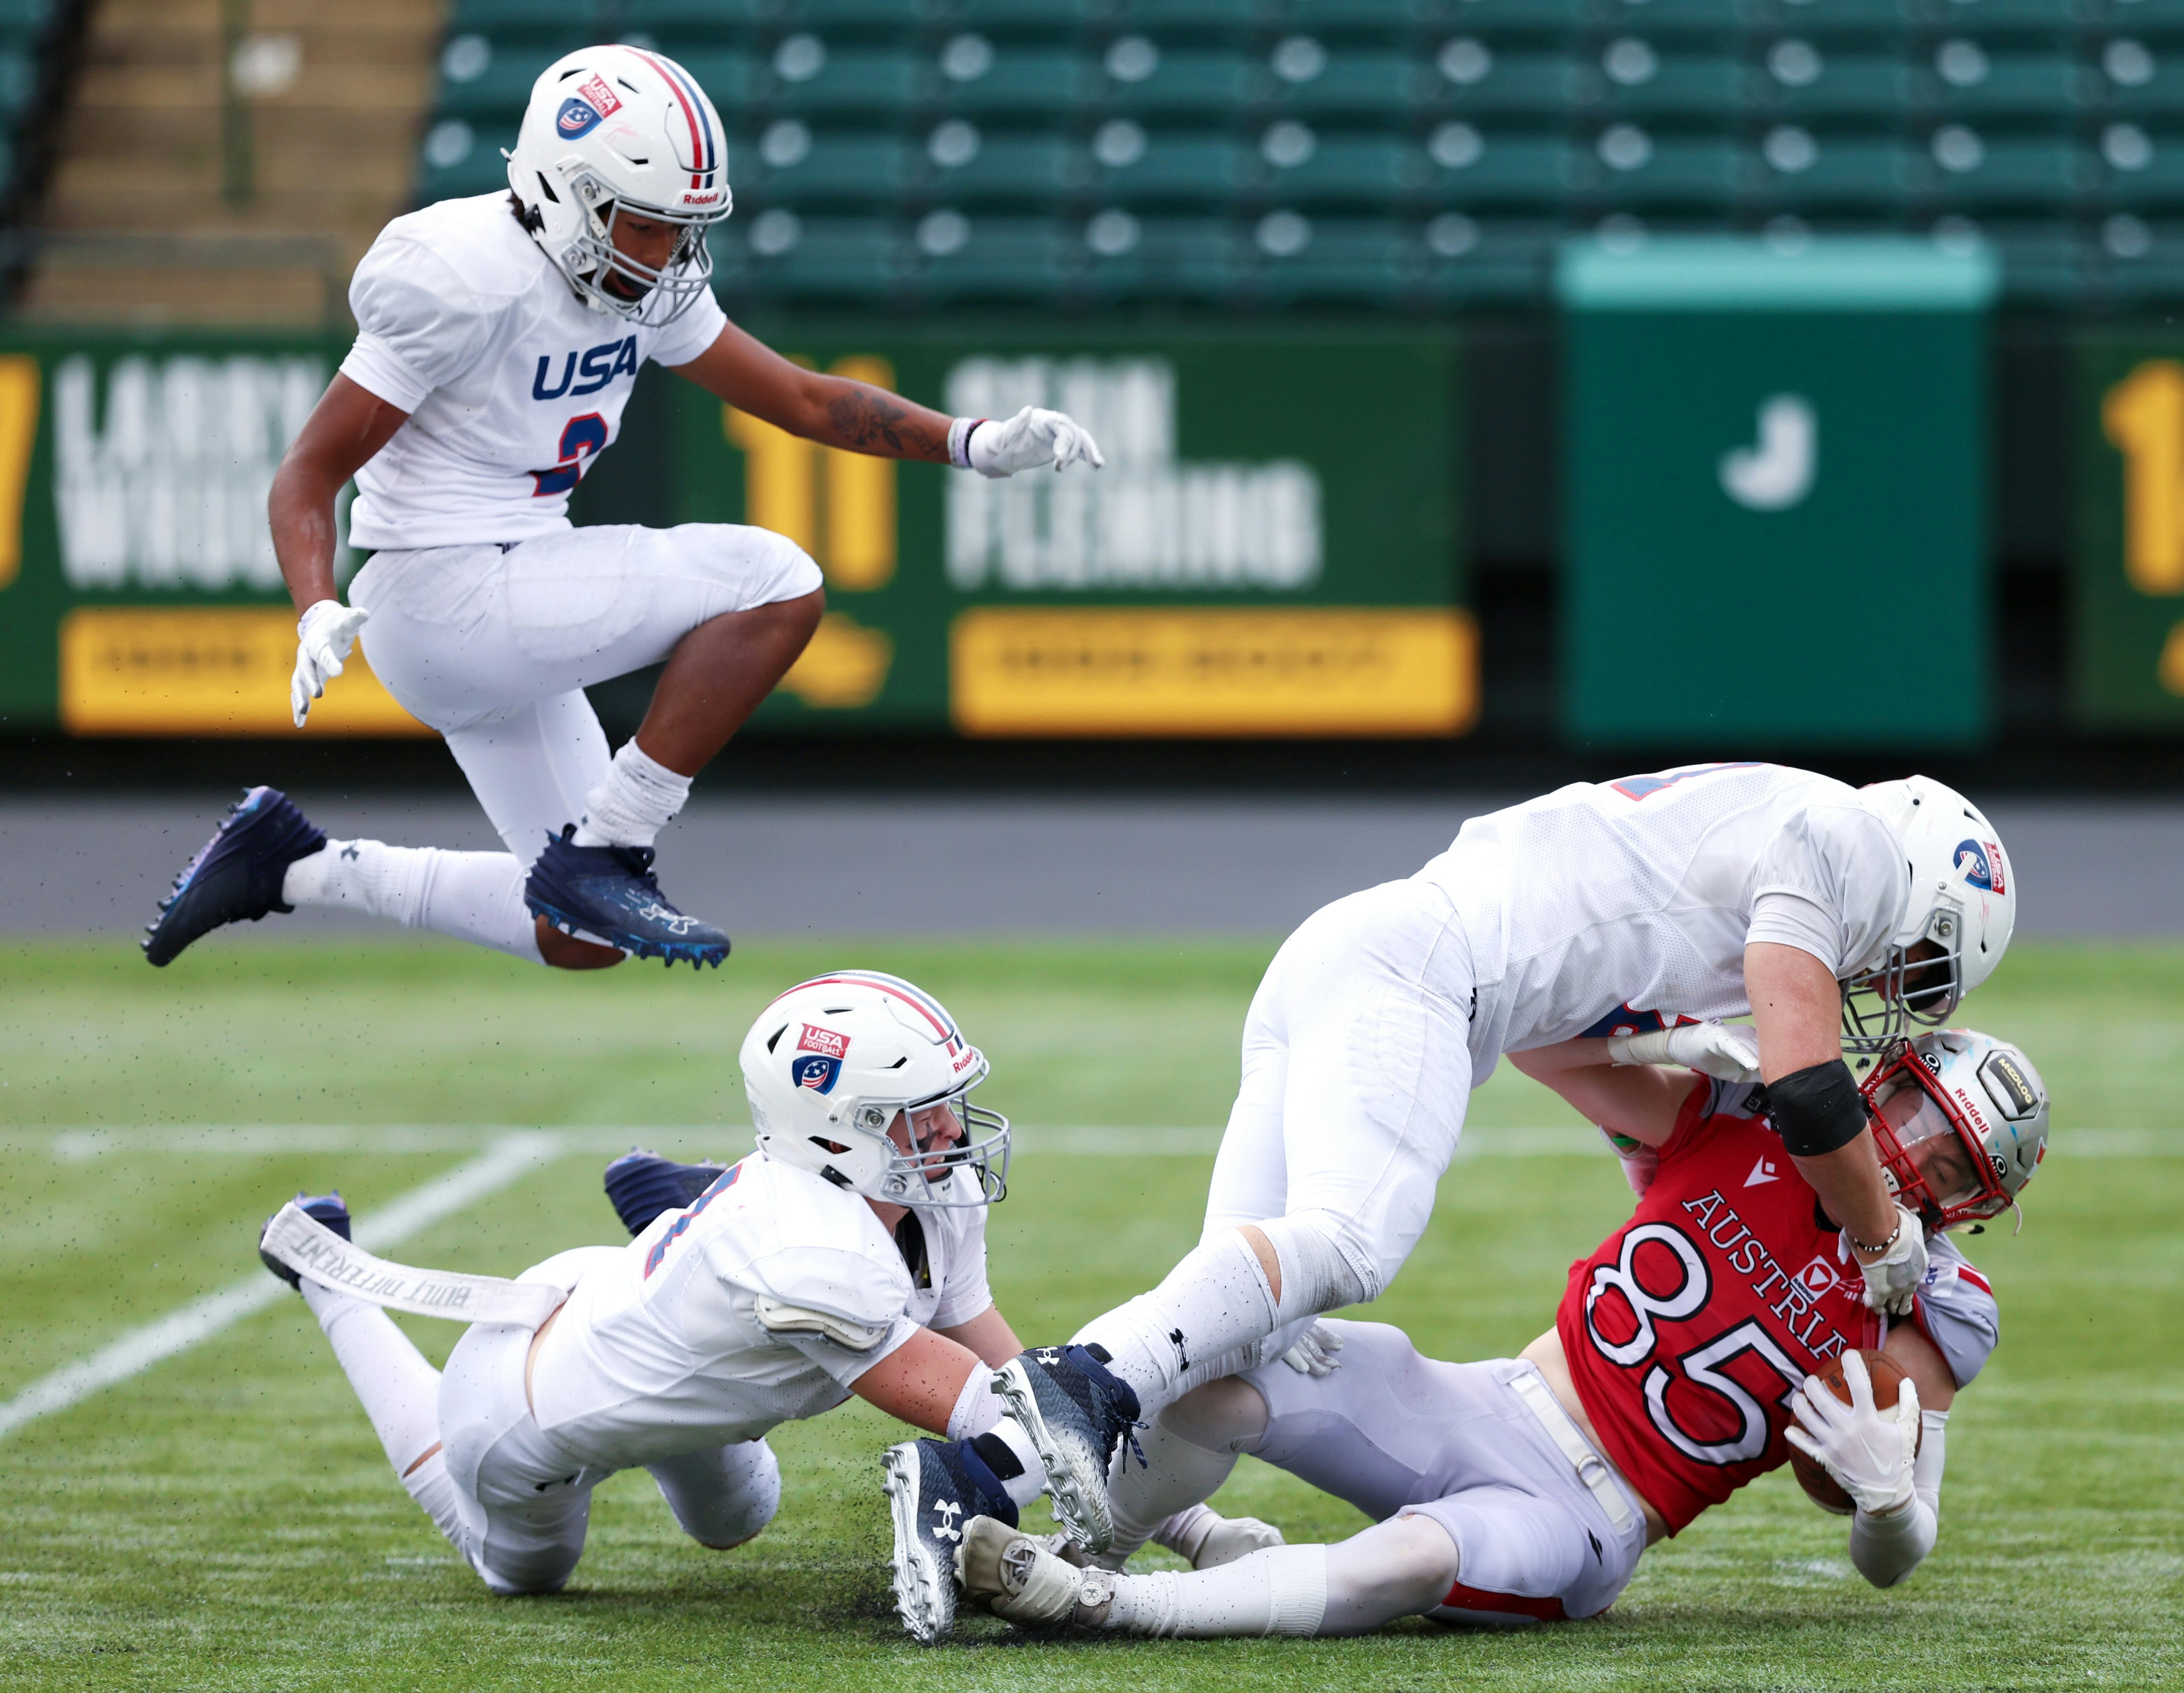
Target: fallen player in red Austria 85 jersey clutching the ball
1676 1373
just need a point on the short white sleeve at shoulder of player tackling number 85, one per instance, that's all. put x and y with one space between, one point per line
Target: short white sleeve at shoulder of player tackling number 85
1831 884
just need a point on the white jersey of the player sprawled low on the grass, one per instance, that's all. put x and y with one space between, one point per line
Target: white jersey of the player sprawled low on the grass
755 1305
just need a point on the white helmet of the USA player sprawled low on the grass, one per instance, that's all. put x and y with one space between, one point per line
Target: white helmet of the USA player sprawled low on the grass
835 1061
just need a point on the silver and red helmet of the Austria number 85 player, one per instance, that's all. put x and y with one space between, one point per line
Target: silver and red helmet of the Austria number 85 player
1960 1122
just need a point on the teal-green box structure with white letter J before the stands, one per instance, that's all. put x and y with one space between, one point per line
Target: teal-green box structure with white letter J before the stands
1774 493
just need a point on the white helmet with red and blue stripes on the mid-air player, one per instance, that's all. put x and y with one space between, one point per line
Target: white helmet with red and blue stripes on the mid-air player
613 130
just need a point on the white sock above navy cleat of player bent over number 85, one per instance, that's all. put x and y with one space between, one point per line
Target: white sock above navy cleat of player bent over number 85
1211 1305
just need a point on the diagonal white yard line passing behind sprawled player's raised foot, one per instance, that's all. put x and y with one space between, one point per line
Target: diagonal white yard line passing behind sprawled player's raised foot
503 1163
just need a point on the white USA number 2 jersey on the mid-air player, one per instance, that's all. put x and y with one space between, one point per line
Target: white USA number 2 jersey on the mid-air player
510 383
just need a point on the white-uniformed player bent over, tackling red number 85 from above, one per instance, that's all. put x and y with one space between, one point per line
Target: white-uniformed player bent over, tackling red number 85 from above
1595 925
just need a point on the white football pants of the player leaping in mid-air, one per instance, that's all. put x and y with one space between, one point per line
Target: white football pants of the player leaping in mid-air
495 646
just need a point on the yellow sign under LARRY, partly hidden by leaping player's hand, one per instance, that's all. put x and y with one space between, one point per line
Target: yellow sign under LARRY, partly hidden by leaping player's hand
206 672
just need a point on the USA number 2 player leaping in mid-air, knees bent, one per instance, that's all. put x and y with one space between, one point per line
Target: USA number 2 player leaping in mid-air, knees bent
499 340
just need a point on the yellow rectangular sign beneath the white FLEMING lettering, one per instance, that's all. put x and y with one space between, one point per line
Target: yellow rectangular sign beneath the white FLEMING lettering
1292 672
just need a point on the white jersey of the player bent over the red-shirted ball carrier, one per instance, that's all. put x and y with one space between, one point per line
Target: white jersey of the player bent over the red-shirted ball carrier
1617 905
